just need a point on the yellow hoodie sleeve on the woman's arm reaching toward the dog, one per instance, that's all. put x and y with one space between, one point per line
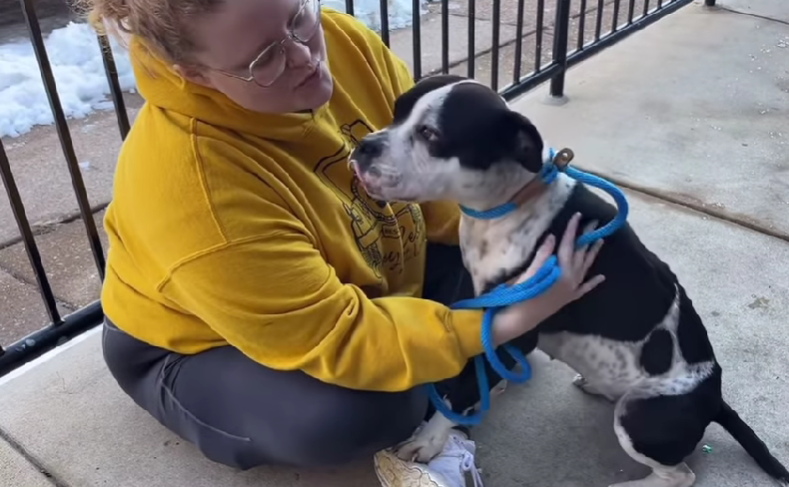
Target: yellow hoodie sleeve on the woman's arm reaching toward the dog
276 299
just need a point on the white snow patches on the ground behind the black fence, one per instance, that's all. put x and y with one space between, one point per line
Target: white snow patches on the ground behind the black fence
75 56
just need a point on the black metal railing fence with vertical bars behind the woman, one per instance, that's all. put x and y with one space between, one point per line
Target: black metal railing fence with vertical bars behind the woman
627 16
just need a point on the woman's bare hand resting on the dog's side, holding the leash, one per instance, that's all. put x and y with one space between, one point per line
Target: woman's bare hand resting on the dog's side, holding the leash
523 317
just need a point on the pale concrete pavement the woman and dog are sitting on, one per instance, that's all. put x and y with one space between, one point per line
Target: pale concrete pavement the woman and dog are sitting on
684 125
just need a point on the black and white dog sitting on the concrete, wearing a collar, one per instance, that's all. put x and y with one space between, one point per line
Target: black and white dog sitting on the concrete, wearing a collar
636 339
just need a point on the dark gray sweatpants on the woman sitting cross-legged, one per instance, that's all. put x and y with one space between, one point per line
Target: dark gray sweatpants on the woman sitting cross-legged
242 414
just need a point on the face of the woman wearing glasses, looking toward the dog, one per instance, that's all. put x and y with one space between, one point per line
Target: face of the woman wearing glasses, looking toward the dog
282 41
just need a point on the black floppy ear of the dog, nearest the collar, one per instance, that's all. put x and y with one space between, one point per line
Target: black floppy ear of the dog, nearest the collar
520 139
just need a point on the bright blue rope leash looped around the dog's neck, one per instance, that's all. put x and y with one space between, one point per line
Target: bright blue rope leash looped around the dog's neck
505 295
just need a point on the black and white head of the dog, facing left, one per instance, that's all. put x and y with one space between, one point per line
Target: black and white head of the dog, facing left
451 139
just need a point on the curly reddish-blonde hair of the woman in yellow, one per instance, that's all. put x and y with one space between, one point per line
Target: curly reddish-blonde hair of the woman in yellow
160 24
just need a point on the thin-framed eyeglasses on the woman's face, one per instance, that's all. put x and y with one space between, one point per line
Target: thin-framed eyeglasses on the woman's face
269 65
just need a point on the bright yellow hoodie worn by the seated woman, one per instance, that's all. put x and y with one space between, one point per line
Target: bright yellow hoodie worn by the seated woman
234 227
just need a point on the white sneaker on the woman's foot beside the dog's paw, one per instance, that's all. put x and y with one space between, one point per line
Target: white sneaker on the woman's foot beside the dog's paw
447 469
